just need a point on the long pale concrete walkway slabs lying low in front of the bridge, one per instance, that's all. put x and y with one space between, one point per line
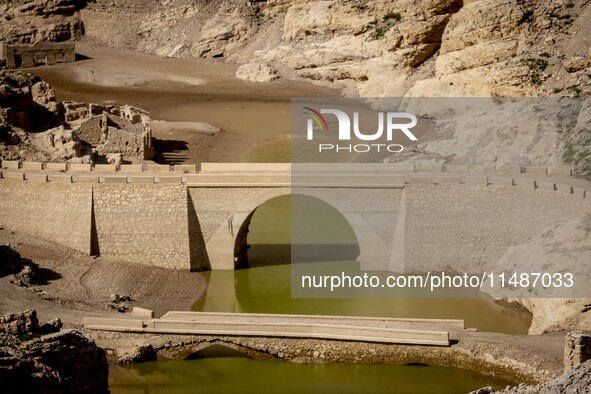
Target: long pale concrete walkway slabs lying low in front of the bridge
380 330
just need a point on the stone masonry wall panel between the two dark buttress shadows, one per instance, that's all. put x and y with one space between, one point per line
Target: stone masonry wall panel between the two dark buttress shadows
143 223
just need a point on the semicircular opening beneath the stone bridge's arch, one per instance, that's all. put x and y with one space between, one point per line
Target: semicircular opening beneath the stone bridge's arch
294 226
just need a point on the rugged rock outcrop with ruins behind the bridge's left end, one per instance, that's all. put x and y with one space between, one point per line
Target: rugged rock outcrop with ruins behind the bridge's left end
34 126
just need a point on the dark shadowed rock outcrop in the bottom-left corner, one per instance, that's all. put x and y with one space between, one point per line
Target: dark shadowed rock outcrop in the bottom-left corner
60 362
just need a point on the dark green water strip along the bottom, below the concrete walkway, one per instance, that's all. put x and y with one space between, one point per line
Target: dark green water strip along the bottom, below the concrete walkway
240 375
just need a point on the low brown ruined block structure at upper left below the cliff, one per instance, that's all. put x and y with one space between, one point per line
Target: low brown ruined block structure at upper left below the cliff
39 54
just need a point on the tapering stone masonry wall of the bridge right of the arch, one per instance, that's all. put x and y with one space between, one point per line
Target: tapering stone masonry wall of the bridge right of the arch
466 227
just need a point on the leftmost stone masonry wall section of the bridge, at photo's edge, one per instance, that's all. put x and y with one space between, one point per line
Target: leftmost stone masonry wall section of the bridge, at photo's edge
57 212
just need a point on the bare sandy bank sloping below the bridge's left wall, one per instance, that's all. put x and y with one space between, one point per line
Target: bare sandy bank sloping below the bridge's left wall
80 285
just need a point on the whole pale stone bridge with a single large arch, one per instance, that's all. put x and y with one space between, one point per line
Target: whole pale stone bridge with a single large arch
177 217
